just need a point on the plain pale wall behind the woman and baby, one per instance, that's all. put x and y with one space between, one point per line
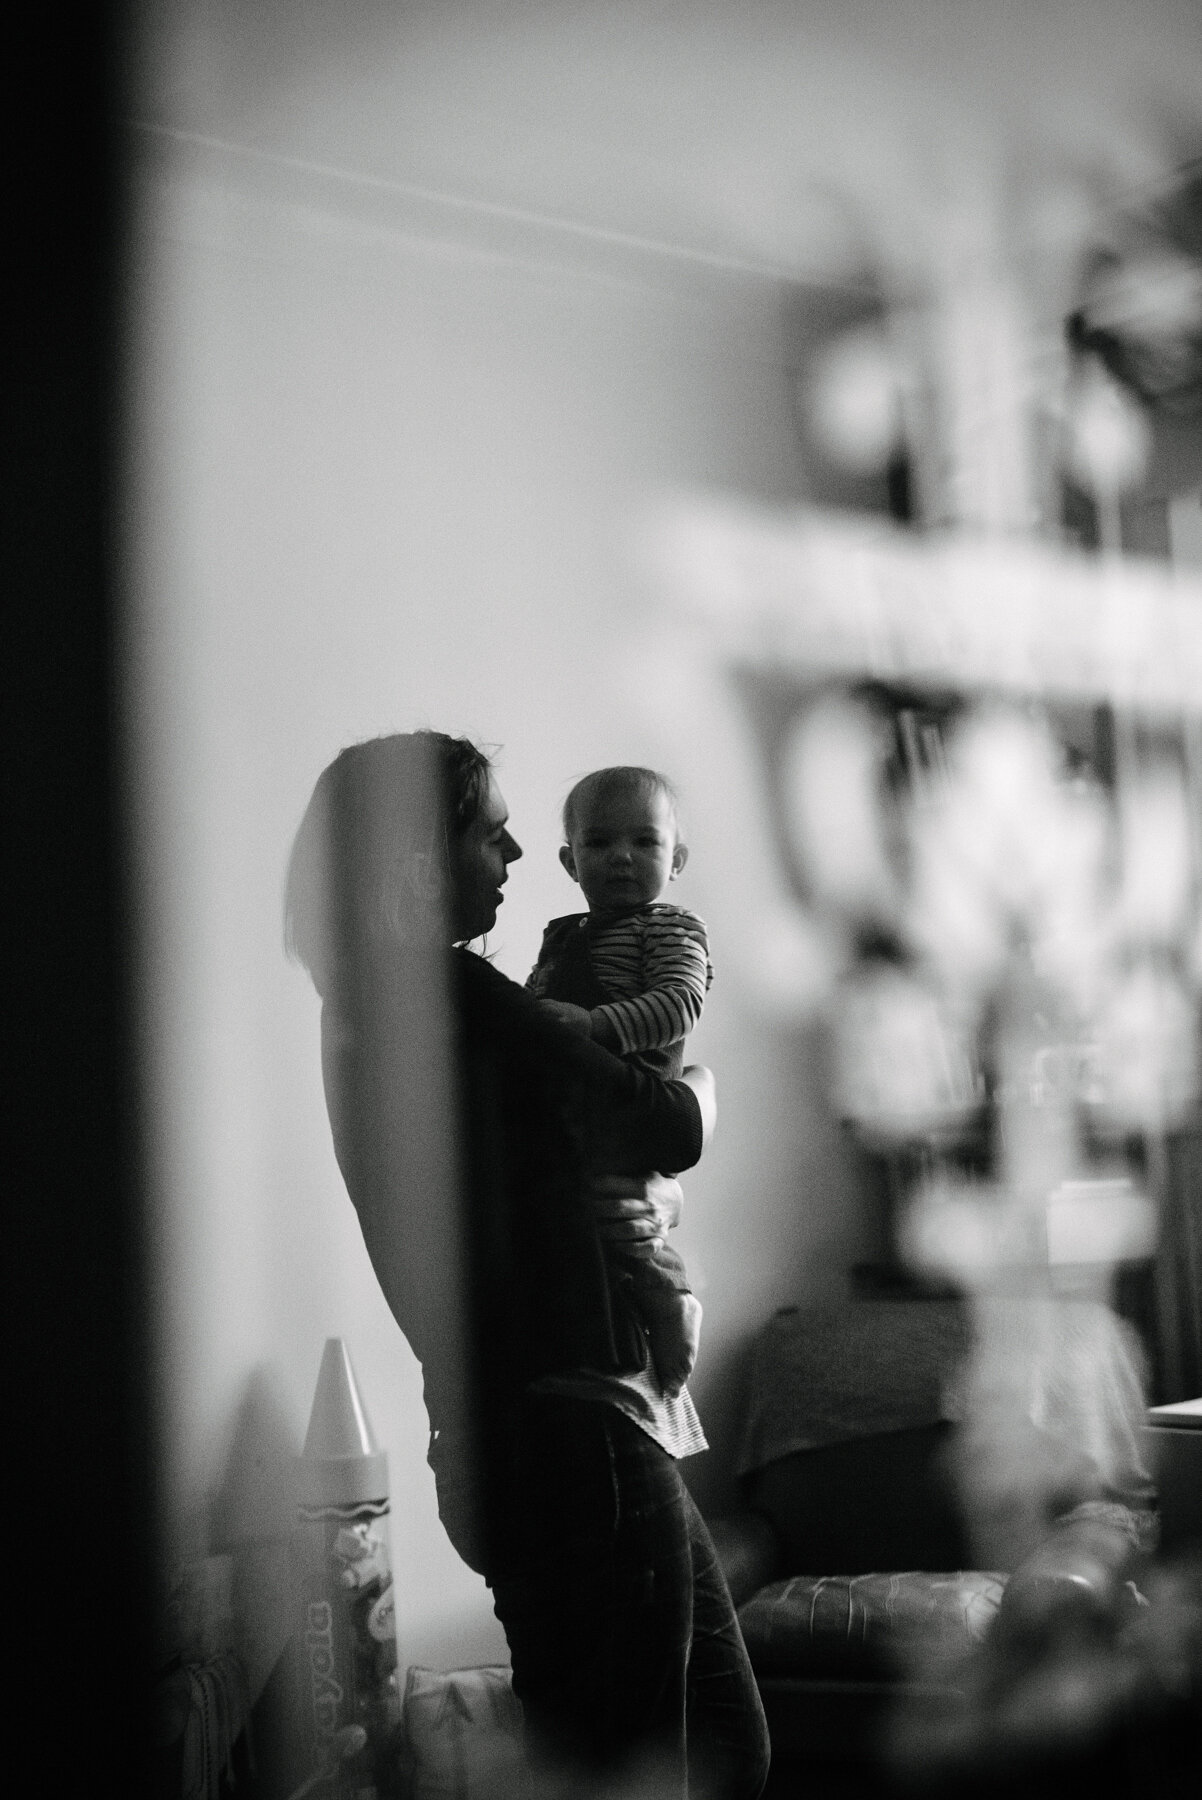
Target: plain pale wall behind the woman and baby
386 474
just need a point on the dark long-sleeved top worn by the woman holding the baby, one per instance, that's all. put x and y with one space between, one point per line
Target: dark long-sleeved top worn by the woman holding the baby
539 1110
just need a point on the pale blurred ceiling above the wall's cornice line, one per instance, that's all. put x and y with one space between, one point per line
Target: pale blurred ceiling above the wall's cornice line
803 134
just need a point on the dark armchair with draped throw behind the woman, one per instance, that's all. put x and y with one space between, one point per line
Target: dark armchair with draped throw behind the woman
868 1592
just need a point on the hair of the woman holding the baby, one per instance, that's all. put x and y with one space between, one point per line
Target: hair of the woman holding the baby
370 865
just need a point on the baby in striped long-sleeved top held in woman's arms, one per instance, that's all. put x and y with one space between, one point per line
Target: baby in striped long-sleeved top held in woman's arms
632 973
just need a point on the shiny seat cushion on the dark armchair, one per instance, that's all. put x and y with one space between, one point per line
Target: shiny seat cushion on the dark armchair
863 1626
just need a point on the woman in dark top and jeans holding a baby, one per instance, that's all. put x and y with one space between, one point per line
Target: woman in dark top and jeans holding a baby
555 1437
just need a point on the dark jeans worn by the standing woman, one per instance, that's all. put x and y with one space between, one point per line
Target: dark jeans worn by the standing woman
627 1653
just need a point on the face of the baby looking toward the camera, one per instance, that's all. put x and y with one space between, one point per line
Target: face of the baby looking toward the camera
625 850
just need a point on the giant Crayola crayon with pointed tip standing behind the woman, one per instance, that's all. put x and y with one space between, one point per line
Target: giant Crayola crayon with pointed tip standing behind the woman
348 1621
